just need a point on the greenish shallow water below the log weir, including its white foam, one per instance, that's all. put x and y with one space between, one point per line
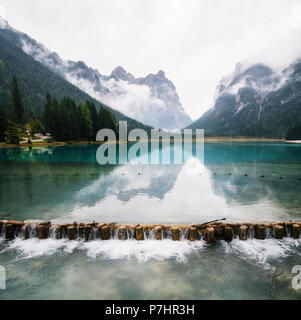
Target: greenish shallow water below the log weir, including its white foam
43 269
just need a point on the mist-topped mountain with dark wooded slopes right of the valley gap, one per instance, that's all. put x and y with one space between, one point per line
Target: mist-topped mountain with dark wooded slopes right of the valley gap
255 101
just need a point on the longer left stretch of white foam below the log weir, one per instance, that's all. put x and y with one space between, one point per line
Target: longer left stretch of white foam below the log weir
106 250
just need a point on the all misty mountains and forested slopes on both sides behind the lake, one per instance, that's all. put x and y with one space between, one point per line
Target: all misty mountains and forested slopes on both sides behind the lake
255 100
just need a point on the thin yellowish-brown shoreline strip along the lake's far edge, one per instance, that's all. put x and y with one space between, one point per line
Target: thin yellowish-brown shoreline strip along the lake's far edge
213 139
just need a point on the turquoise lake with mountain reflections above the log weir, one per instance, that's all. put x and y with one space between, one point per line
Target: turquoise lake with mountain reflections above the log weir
67 184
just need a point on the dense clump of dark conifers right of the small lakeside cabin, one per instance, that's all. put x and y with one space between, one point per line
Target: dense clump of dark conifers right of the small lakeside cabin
66 120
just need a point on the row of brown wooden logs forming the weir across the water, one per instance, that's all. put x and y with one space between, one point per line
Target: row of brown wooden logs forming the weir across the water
93 231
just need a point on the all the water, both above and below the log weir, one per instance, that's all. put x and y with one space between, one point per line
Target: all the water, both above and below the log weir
66 184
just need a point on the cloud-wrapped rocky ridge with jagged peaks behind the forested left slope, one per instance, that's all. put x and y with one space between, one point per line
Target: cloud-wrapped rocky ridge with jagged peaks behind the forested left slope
152 100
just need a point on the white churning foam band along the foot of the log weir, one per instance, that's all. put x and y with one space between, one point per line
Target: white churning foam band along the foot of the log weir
257 252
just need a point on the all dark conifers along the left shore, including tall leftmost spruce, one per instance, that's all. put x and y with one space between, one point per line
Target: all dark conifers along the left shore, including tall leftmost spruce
64 120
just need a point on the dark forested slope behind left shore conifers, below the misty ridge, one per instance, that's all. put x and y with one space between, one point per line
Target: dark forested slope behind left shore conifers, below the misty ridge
36 81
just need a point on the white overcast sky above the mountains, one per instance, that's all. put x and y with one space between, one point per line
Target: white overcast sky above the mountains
196 42
